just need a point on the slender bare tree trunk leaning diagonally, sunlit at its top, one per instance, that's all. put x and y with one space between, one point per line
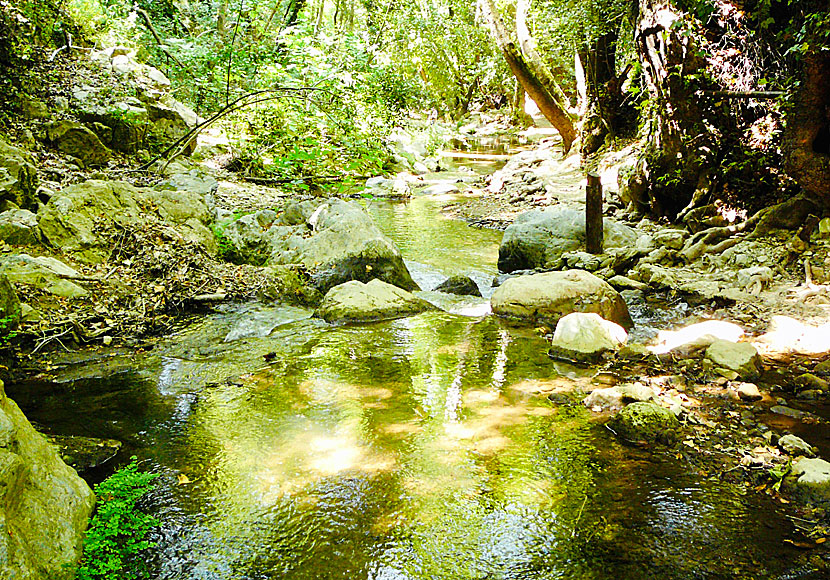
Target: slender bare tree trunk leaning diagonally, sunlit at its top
553 111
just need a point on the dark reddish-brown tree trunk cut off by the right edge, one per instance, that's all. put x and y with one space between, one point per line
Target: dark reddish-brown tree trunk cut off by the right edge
807 137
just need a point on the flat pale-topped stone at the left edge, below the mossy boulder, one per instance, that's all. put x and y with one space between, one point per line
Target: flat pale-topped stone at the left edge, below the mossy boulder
43 273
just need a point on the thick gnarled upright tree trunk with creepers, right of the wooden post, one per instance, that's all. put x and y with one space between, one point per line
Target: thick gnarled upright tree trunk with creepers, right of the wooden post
670 173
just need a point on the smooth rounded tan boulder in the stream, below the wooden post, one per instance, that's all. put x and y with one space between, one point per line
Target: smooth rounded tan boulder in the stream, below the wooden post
545 298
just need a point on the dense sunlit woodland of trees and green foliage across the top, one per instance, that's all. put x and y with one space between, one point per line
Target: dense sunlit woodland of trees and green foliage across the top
728 96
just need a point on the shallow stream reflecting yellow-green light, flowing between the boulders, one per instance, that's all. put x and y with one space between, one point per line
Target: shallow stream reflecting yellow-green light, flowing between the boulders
420 448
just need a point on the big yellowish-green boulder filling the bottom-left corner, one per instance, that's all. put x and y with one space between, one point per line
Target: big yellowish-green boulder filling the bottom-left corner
44 505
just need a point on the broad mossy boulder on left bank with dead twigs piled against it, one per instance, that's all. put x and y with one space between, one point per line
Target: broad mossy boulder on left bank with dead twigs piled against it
82 219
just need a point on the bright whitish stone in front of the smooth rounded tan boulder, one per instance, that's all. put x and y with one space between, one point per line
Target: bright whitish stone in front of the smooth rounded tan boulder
585 336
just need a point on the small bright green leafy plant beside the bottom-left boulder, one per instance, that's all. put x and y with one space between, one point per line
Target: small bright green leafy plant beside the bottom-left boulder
116 540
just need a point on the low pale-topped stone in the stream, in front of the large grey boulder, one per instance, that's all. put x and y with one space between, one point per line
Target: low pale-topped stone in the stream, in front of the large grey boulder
376 300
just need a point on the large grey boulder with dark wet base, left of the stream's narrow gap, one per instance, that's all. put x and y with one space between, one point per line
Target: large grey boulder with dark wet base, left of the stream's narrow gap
337 242
